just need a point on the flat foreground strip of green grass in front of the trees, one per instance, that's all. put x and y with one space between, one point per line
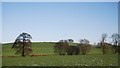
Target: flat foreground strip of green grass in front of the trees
81 60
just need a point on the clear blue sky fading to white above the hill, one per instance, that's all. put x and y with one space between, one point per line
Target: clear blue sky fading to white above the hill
53 21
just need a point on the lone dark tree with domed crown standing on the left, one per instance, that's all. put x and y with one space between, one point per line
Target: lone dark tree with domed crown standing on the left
22 44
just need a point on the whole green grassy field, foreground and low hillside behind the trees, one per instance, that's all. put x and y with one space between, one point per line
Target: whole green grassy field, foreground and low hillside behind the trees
93 58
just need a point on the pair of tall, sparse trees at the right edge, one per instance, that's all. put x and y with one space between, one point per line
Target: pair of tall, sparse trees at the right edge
106 47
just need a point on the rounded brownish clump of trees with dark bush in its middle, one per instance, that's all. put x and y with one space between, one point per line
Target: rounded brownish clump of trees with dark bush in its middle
63 47
